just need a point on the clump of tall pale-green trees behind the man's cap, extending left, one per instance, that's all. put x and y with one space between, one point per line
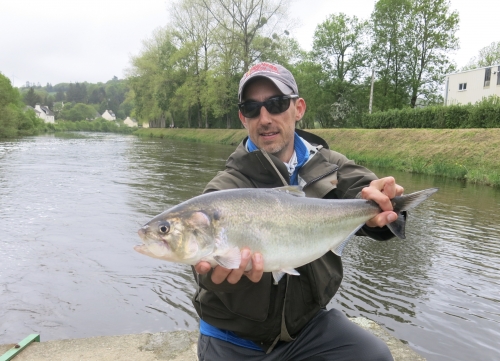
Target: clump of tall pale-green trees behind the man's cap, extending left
190 72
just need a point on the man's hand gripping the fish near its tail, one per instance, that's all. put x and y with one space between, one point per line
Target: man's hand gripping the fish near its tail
381 191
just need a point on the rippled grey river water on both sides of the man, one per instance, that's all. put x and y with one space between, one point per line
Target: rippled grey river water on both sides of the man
71 205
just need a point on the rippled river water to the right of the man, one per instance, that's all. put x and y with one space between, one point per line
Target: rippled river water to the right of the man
438 289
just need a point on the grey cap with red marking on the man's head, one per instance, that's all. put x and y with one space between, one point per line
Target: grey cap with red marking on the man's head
278 74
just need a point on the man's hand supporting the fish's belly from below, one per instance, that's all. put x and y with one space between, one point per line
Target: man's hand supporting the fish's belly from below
234 275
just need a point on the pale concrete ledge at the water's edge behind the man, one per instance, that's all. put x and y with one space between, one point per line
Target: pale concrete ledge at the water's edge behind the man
173 346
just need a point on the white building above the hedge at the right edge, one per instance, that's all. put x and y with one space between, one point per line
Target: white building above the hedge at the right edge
471 86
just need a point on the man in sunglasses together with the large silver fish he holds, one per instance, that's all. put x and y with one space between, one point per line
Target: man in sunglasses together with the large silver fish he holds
259 238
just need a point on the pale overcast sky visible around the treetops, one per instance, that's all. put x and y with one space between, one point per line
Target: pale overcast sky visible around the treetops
55 41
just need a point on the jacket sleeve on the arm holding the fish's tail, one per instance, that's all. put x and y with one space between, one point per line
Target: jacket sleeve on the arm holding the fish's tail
352 178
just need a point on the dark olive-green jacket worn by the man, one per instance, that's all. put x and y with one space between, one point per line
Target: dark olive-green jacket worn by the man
263 312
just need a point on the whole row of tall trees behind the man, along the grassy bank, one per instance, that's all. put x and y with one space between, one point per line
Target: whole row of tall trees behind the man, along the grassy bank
188 72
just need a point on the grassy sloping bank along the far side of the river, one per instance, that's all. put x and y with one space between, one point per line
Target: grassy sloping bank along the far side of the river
470 154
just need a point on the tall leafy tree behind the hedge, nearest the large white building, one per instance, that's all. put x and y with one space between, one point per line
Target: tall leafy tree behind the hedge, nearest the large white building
412 40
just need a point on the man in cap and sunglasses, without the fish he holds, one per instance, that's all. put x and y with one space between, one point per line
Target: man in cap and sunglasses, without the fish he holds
243 314
